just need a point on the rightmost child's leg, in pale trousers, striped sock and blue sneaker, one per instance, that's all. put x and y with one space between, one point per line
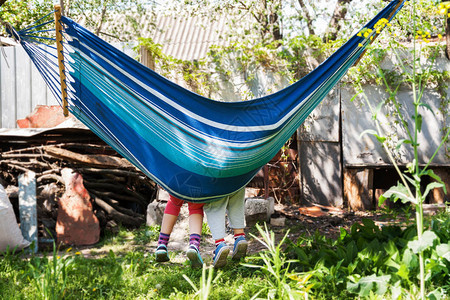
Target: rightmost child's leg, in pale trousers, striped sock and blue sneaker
236 215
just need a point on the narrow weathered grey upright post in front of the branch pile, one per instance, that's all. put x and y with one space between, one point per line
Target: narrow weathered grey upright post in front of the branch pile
27 207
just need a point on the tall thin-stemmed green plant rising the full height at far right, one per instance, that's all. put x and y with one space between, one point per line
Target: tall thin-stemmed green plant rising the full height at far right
409 190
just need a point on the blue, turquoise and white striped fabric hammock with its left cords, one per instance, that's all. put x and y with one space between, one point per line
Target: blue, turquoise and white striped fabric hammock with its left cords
197 148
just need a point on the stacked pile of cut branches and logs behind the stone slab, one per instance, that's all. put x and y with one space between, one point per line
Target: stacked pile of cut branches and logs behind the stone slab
119 191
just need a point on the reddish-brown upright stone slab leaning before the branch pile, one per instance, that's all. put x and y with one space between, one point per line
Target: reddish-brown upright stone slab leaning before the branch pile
76 223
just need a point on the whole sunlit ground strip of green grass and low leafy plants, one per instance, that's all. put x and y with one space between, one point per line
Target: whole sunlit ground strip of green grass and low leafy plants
121 267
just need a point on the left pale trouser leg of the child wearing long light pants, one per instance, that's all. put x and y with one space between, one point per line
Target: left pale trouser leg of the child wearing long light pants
215 214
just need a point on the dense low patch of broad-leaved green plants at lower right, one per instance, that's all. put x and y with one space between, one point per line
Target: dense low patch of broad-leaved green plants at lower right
368 260
